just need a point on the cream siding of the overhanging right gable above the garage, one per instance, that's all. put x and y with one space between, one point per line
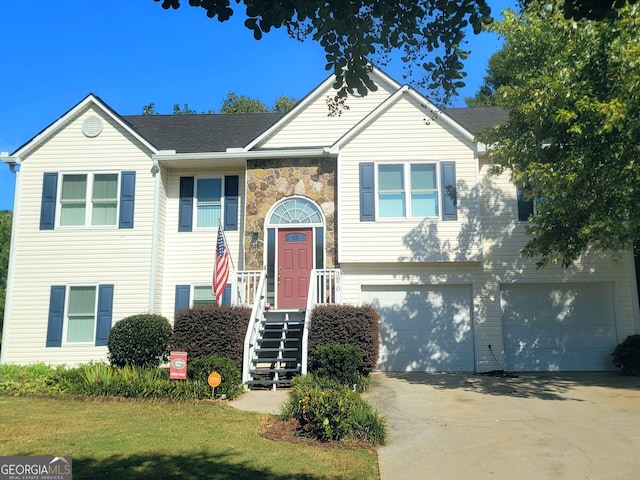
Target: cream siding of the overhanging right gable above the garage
407 133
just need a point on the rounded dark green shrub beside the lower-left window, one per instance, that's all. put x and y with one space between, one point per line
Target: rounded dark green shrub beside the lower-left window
139 340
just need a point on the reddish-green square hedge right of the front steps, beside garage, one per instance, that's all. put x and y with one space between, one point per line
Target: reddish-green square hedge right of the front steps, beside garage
347 325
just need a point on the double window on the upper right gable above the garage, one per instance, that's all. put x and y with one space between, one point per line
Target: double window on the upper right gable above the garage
407 189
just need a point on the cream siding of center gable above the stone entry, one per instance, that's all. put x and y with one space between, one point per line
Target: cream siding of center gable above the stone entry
313 127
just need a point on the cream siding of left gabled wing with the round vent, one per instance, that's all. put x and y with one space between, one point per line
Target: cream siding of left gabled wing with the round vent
66 256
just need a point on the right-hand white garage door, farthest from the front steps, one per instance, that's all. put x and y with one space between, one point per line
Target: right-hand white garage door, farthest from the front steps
558 327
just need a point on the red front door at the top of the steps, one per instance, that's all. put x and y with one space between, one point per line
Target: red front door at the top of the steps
295 259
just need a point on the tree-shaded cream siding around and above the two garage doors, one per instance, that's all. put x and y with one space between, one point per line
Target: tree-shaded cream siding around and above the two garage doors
503 238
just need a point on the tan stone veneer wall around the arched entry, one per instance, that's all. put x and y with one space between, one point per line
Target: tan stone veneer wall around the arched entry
268 181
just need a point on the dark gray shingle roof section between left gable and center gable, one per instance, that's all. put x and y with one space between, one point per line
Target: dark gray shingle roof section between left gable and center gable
203 132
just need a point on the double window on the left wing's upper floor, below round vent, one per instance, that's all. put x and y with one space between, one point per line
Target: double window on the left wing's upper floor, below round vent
89 199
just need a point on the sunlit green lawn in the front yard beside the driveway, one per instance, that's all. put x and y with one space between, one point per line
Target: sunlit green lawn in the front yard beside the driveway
144 440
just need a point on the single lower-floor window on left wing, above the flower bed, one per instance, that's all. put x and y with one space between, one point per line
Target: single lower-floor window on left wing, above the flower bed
80 314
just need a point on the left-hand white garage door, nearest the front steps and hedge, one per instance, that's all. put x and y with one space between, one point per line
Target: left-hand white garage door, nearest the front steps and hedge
423 328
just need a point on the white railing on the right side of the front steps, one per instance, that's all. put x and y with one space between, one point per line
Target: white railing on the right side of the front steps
325 287
